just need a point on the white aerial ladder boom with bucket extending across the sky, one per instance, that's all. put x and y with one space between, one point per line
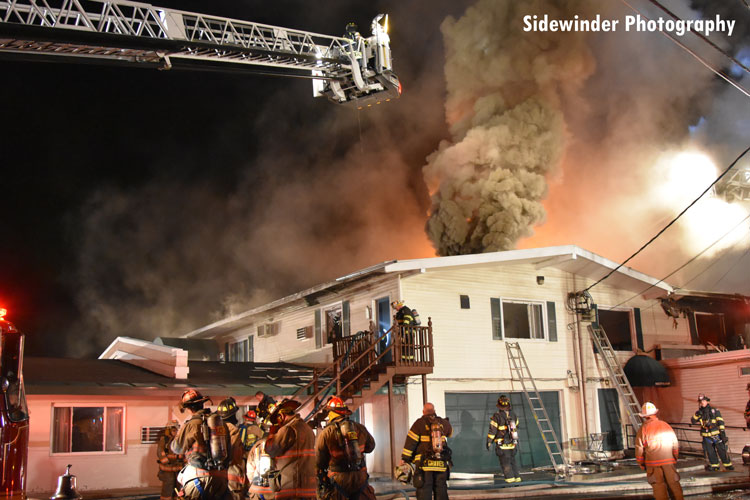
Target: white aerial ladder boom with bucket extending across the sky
351 70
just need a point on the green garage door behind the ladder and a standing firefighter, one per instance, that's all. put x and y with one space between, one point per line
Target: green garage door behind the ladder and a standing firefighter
470 414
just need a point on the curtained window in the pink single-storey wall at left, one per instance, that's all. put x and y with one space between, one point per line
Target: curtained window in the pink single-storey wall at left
82 429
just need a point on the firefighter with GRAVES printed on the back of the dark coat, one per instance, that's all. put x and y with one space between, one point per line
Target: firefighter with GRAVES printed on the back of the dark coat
426 446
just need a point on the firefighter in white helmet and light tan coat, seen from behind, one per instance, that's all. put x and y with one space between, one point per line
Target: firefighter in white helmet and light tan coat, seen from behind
656 451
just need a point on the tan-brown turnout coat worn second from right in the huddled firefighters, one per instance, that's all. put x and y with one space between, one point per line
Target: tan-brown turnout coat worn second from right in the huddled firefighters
293 449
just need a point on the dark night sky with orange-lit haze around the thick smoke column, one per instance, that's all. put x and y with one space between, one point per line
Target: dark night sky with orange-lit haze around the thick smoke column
145 203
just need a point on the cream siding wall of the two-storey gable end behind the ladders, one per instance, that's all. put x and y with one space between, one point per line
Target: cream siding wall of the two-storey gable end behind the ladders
468 359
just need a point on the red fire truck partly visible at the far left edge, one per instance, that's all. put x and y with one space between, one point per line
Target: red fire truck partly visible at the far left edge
14 414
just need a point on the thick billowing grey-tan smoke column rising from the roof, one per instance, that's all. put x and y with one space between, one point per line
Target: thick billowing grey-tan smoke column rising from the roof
508 131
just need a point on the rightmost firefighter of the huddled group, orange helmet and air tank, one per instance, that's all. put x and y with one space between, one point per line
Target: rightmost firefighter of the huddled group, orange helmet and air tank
339 455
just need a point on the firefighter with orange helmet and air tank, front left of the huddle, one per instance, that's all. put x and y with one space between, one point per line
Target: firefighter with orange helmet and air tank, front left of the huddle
204 477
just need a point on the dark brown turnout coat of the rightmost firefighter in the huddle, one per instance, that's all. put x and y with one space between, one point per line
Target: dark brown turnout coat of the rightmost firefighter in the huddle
331 457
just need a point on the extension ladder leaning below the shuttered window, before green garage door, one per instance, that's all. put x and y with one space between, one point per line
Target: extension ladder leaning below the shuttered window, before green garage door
520 370
